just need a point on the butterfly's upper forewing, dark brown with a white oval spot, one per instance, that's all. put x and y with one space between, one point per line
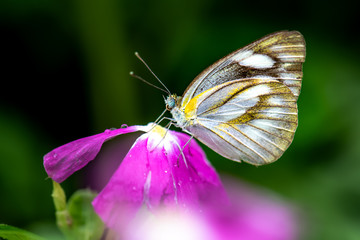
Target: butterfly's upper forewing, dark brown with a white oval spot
278 56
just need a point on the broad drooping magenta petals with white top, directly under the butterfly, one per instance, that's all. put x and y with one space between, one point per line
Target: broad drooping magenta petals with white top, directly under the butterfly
154 174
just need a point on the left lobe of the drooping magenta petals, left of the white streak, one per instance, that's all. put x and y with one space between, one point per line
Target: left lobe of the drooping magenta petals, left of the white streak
122 197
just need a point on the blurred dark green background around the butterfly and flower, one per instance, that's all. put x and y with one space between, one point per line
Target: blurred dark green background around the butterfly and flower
65 76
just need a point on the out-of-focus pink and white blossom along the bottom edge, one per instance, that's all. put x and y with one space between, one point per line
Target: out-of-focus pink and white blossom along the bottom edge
252 214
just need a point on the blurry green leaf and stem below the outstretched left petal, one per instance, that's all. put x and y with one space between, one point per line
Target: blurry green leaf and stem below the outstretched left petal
77 219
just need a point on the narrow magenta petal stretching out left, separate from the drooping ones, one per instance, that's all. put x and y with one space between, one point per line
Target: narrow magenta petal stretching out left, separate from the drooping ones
63 161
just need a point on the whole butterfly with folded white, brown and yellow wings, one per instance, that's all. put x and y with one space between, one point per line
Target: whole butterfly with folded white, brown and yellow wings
244 106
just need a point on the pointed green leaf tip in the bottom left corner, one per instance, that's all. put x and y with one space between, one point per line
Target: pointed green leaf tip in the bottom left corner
12 233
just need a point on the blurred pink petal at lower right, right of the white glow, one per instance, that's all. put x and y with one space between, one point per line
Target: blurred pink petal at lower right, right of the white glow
255 215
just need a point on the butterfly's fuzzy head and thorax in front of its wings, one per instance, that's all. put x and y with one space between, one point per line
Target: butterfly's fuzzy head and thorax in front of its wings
173 104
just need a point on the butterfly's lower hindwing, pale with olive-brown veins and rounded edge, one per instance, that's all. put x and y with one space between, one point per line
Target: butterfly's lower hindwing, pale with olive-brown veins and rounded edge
255 124
